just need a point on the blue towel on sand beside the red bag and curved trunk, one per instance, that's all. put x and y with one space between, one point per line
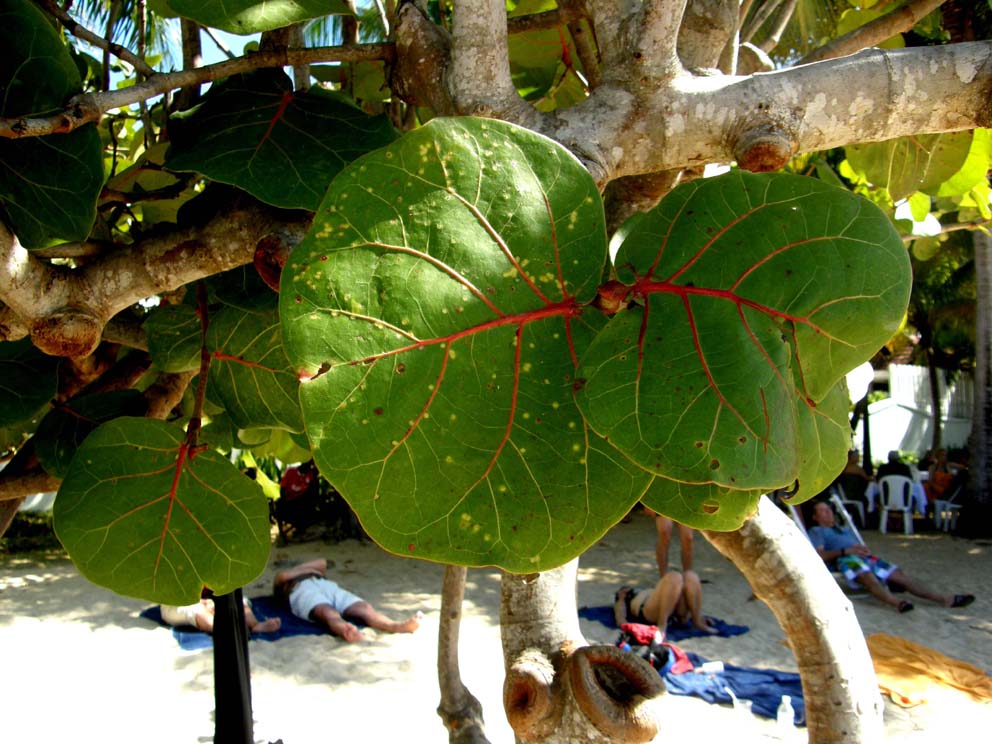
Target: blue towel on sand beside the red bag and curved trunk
763 687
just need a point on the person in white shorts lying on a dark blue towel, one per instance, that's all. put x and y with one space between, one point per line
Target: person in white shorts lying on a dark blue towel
311 596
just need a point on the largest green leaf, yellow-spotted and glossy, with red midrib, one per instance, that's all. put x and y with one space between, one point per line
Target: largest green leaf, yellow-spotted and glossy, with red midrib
436 308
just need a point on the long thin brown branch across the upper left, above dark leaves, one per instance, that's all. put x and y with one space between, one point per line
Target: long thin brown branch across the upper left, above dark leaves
87 108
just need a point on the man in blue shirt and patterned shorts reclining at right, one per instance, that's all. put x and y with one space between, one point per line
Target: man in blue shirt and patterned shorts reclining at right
842 551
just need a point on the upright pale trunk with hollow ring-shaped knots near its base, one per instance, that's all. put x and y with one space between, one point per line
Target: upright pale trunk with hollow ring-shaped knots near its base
557 689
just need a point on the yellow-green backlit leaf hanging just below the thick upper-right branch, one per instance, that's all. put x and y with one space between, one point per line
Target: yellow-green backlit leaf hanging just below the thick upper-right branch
907 164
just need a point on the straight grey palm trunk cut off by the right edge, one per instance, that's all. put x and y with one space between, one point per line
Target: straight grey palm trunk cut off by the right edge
981 423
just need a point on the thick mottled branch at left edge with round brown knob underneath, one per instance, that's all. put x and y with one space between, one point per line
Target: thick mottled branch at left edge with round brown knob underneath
65 310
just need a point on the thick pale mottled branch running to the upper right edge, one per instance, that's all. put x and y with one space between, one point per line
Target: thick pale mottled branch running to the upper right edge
762 120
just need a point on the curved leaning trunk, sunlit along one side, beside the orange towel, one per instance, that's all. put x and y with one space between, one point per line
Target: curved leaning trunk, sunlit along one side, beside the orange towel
839 685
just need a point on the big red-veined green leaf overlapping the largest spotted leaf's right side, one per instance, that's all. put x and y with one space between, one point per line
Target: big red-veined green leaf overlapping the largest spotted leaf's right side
754 296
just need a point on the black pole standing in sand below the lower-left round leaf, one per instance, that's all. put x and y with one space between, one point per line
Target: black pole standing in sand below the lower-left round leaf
232 673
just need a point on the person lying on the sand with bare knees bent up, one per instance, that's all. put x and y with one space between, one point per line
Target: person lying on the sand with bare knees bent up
678 595
